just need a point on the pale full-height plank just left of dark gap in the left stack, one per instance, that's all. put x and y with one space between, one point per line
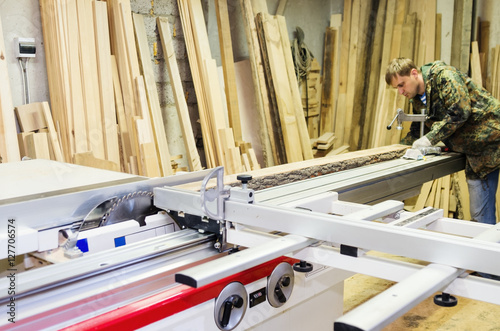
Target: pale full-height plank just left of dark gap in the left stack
105 79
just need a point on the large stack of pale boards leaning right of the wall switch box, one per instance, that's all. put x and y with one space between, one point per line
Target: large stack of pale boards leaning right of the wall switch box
103 91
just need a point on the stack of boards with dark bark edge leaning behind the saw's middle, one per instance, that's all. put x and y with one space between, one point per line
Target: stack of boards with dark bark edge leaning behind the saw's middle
284 133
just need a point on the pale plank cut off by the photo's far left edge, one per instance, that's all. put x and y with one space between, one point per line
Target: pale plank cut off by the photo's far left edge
9 150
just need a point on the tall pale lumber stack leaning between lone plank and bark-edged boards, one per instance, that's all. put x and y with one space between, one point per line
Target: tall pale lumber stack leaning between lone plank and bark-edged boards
222 134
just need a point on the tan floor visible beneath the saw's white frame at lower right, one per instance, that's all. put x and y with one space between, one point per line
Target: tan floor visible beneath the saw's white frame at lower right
467 315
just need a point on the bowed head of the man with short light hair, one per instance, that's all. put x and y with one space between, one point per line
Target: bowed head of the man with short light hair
404 75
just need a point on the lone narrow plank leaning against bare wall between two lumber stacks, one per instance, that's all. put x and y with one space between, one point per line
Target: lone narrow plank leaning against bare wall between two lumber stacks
180 102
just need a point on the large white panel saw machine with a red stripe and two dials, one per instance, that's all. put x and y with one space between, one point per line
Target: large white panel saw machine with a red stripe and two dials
106 250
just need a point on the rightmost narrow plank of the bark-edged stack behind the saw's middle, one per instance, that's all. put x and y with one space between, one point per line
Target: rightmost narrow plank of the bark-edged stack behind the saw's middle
294 88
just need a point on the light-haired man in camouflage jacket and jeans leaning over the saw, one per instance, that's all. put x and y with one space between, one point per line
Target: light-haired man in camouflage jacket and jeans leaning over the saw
464 116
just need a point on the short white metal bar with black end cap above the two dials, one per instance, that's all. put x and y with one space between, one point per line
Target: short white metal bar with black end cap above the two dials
217 269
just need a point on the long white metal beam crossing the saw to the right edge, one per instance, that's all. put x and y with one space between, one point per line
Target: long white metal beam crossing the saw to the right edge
424 245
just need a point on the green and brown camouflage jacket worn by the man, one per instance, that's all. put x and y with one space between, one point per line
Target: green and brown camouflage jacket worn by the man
464 116
